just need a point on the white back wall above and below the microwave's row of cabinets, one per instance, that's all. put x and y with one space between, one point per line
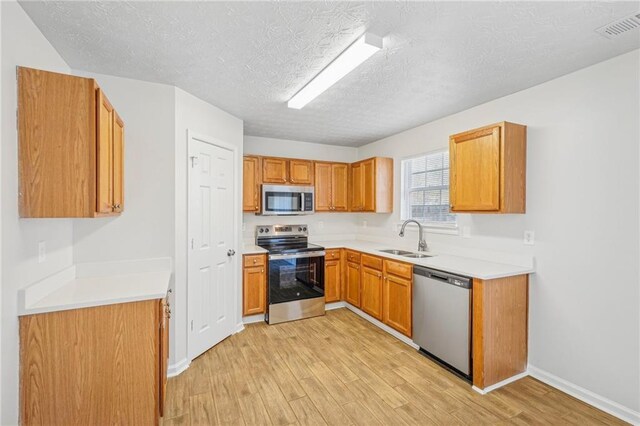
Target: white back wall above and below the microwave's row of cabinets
321 225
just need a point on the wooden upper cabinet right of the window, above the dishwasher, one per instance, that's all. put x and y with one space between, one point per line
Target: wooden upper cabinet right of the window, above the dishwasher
488 169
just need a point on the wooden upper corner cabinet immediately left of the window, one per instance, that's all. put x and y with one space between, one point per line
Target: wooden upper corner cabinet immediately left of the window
372 185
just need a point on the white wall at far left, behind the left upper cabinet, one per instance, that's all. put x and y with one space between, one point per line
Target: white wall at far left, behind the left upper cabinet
22 44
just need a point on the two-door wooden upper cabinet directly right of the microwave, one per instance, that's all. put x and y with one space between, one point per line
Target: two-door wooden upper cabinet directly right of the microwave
331 186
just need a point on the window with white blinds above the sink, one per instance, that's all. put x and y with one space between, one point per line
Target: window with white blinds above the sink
425 189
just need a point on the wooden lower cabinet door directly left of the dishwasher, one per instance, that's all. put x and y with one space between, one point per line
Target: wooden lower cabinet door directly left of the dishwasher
397 303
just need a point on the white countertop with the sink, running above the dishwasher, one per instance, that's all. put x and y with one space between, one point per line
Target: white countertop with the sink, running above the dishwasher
466 266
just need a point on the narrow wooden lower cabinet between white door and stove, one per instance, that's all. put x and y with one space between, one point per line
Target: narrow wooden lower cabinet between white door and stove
254 285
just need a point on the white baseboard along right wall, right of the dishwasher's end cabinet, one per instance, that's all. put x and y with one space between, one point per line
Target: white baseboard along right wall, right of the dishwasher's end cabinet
591 398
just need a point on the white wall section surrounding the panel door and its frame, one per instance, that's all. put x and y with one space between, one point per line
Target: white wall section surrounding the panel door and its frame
204 119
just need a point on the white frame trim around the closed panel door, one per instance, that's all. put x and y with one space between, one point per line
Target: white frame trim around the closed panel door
193 137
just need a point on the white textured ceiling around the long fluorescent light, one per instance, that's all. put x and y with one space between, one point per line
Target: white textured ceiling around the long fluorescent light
249 58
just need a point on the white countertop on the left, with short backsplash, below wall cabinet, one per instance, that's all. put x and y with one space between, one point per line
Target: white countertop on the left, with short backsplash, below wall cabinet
97 284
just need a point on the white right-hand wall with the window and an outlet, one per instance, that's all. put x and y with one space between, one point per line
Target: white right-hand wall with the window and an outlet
583 139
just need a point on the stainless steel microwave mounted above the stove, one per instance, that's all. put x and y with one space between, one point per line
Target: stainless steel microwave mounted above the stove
287 200
